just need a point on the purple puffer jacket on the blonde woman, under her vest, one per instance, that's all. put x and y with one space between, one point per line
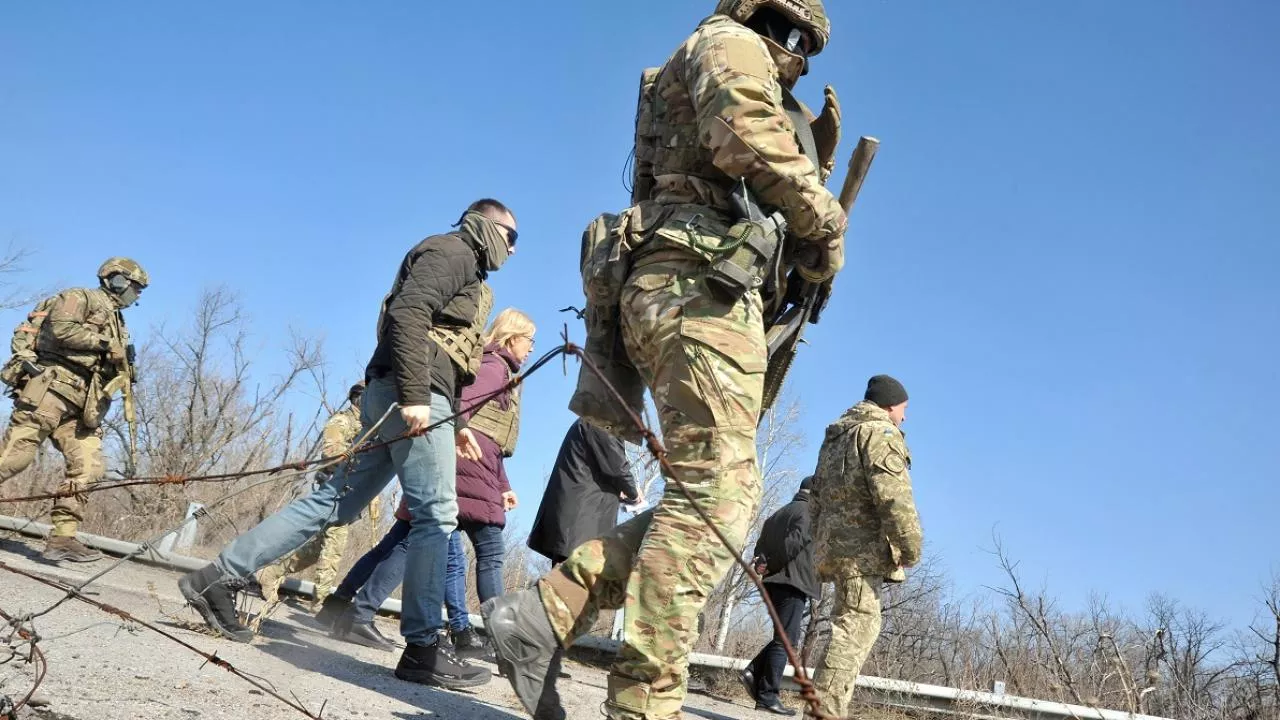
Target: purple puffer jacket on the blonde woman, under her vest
482 482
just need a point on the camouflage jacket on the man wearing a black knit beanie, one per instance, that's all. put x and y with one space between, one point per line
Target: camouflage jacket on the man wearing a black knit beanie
865 517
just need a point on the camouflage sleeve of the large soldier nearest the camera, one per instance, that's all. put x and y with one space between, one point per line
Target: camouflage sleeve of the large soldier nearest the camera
733 83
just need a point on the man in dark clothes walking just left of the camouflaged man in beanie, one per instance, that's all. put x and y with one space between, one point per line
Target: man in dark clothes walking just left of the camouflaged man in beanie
785 557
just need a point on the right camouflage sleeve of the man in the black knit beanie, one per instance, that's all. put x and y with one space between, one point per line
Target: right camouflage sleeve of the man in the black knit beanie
884 454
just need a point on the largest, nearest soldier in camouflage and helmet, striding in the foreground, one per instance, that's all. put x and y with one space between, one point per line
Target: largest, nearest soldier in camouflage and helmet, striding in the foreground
712 121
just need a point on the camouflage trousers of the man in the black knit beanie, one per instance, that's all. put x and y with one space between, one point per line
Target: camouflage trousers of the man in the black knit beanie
856 622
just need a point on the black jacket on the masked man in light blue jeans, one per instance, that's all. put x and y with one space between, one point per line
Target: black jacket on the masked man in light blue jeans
431 276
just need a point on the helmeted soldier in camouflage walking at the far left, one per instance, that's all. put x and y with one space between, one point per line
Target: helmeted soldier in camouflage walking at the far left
63 385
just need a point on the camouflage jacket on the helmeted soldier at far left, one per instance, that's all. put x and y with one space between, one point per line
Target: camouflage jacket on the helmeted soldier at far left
81 330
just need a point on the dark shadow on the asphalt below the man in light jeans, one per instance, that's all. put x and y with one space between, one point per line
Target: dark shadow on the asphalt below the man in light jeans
308 650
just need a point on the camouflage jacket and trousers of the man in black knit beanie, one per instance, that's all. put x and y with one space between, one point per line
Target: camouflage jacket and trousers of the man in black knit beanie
866 530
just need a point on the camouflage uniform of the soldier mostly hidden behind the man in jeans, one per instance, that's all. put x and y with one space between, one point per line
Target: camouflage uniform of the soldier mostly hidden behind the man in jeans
324 552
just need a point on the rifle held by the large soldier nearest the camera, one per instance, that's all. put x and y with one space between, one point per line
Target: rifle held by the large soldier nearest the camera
804 302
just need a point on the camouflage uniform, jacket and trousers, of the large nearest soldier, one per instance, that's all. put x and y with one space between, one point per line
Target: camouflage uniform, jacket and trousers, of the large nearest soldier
716 115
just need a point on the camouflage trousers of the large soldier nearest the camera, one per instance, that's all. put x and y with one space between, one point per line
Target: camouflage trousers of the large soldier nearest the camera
703 361
